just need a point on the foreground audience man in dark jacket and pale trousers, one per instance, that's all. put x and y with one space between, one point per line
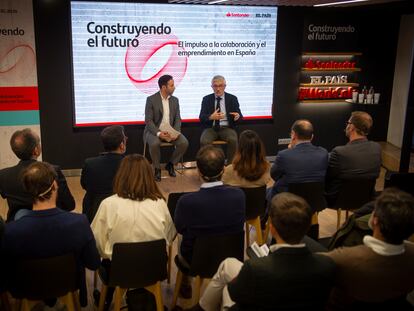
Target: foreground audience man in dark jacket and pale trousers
289 278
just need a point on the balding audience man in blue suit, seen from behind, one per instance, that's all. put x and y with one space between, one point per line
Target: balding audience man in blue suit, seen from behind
301 162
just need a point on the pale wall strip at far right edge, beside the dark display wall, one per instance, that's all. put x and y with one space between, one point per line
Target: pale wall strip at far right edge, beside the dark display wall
401 84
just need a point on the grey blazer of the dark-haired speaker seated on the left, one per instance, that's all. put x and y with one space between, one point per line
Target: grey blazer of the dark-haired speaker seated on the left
154 112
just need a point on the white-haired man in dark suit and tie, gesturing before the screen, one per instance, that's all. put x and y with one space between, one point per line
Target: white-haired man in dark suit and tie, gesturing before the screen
219 114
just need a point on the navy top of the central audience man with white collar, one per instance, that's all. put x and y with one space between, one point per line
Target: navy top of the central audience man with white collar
214 210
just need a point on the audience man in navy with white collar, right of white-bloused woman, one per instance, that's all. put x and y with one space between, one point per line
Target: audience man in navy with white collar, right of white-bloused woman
214 209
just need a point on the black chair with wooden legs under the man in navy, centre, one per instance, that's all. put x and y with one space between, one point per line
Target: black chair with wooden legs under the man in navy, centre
209 251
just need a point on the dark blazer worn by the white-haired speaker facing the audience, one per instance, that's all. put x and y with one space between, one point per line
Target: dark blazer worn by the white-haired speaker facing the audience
208 106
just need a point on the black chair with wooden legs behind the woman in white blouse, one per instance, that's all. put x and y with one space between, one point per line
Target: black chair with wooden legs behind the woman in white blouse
136 265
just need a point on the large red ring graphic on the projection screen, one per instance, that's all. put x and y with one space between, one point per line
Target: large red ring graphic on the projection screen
155 56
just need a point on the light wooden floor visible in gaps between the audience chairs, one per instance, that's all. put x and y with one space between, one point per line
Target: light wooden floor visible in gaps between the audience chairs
188 181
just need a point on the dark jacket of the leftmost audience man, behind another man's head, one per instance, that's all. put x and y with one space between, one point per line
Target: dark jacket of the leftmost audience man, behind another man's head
11 188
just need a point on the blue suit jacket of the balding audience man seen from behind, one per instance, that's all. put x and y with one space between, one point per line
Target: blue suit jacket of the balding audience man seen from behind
303 163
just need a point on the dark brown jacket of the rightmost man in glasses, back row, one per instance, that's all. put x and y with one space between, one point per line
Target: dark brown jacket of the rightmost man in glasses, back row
360 158
